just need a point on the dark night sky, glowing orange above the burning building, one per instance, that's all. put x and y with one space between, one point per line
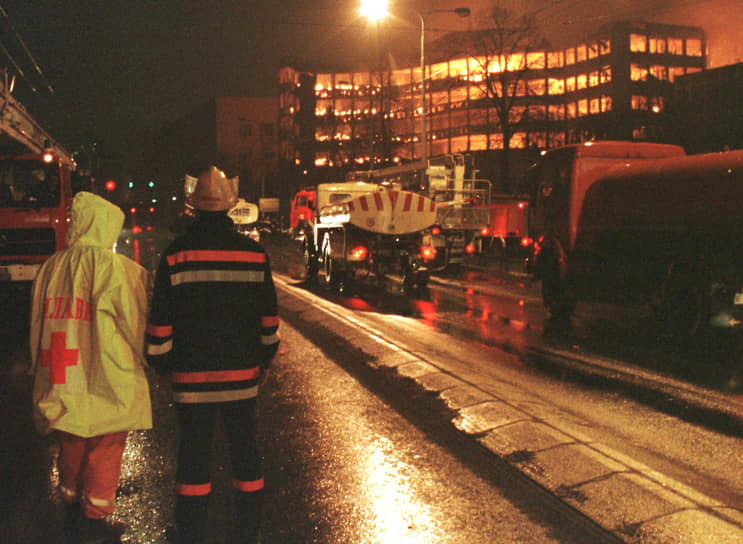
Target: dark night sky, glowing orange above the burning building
120 70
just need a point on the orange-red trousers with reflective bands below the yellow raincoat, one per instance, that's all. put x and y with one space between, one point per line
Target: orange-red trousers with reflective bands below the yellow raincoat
89 470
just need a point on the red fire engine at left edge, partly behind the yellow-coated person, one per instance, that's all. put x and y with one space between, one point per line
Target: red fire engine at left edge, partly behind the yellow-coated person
37 182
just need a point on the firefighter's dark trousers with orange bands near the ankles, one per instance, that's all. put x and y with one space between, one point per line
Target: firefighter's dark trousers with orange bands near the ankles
197 423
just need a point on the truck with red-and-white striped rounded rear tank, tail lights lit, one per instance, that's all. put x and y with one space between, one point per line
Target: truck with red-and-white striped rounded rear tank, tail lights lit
364 229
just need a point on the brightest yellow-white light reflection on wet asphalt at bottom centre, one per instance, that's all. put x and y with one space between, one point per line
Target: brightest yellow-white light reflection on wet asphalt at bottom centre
397 516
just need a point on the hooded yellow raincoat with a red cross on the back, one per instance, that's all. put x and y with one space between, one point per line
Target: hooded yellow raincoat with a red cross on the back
89 307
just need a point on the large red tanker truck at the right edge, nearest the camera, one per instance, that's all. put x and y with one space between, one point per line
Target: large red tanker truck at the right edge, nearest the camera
643 223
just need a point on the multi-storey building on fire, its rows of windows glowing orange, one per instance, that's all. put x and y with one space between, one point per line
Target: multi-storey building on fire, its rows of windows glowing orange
613 86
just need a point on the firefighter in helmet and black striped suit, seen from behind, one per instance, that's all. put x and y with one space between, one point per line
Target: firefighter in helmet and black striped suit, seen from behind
214 329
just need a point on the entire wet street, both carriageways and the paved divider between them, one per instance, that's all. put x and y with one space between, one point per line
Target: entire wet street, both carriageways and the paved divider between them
441 417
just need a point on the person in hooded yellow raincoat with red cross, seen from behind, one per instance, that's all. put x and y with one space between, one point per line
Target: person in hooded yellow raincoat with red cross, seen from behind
88 318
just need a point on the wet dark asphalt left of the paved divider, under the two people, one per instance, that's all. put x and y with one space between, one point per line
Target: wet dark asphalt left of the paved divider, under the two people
342 466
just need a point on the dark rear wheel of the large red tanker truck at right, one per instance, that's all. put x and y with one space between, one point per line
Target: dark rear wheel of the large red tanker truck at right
685 310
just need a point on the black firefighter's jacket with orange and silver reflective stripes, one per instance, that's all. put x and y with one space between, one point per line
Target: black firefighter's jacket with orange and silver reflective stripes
214 318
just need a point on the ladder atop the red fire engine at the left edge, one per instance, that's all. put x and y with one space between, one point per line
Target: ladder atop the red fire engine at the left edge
19 131
